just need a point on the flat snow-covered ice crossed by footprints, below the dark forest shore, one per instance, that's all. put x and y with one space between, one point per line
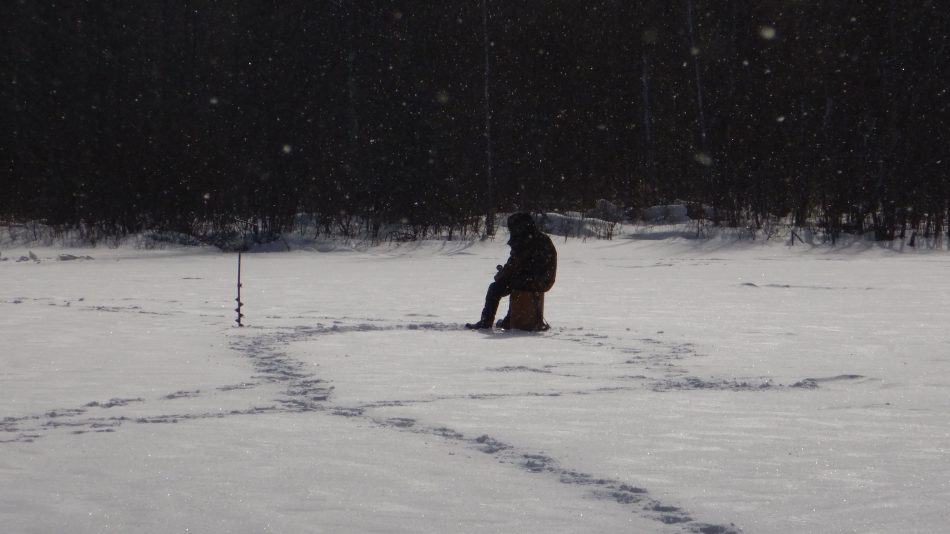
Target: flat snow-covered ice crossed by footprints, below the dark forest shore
685 386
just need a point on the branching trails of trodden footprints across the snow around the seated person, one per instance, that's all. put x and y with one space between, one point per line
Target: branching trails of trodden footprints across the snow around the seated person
301 391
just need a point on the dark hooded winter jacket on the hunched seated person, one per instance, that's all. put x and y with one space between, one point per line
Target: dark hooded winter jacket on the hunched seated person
533 262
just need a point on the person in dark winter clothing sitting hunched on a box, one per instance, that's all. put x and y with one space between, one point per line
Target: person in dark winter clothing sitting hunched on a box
531 267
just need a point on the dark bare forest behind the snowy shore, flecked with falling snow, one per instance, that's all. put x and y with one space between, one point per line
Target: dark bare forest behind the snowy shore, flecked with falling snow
188 116
